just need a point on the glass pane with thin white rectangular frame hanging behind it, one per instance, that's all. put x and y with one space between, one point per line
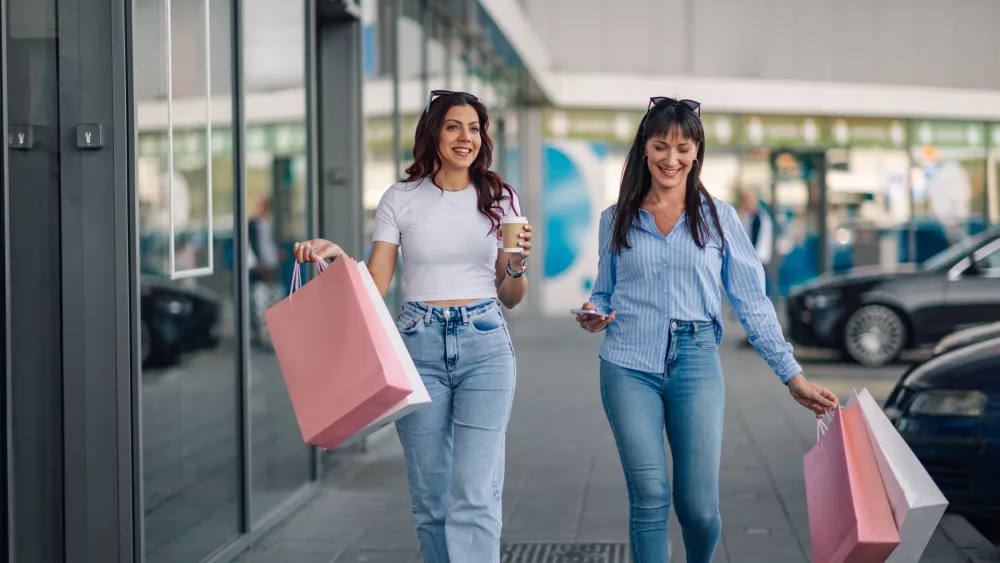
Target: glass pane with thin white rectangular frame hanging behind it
189 354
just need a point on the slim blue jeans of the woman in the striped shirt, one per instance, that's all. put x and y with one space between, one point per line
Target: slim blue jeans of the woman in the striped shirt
688 399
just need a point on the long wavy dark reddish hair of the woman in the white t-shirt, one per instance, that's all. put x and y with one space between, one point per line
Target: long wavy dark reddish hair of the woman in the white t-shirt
490 187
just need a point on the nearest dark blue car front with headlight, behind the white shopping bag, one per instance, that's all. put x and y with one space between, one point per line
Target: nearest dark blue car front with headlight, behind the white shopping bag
948 410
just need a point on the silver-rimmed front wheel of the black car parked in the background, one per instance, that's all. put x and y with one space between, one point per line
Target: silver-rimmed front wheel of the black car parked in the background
874 335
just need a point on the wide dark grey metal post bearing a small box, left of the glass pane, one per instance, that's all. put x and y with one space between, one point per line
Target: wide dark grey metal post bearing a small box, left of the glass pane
98 282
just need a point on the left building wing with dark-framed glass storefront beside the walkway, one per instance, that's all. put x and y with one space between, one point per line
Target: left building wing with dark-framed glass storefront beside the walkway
162 157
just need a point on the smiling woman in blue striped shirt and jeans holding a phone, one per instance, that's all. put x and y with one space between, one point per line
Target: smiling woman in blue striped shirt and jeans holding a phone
664 248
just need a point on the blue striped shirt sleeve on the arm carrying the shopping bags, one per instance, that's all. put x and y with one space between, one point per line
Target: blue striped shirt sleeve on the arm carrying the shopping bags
743 280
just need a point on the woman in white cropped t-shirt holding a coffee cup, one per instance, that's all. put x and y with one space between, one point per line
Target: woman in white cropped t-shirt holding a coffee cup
445 217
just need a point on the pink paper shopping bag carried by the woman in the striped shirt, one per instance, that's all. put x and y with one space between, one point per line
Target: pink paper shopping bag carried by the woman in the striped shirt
849 516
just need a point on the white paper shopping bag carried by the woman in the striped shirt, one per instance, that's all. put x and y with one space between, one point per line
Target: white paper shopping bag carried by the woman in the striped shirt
917 503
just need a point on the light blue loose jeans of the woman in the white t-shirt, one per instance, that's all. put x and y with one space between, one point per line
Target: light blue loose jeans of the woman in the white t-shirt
454 447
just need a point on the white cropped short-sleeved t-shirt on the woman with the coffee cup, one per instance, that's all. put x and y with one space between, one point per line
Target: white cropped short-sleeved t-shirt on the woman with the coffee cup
449 249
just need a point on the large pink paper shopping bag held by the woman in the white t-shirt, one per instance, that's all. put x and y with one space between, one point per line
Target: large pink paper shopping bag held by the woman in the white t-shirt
340 367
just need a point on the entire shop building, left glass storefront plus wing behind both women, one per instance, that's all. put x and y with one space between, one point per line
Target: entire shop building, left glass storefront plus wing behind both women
163 156
